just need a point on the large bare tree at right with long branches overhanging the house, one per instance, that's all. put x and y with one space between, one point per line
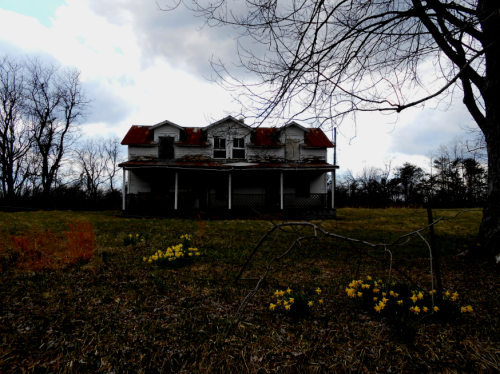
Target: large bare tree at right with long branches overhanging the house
326 59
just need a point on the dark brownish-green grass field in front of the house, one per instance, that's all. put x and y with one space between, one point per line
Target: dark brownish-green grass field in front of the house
108 310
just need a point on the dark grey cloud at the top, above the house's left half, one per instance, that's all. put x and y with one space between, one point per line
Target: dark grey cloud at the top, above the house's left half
176 37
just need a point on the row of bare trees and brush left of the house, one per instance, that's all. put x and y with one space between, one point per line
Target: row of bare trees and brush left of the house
45 160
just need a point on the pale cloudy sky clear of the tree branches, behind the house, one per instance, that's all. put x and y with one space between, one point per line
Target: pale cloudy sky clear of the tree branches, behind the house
141 65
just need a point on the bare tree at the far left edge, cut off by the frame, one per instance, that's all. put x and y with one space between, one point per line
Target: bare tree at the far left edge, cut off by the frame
15 138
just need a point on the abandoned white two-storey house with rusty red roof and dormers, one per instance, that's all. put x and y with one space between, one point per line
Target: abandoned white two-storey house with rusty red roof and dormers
227 165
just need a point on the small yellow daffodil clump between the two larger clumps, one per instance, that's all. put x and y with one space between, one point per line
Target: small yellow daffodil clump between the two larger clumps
296 303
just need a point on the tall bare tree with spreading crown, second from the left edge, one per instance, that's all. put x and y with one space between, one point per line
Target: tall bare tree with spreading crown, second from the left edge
55 104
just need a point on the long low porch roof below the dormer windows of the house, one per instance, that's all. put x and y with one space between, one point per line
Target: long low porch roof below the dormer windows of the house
227 166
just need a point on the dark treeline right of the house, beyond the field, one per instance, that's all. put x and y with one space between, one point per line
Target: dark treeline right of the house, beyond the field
456 177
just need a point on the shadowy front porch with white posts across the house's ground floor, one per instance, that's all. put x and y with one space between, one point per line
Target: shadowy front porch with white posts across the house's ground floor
167 191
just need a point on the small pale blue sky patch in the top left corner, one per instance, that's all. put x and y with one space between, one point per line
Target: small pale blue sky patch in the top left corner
42 10
